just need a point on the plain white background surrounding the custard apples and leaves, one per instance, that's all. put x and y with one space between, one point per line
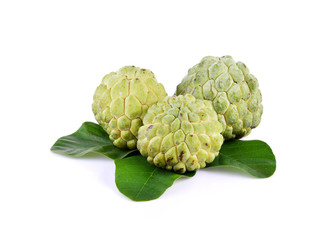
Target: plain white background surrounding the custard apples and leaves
53 54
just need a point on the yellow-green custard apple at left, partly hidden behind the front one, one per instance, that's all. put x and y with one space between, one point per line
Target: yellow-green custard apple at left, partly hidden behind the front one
121 101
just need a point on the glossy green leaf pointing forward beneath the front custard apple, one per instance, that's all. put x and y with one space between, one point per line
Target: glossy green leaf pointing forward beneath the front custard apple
140 181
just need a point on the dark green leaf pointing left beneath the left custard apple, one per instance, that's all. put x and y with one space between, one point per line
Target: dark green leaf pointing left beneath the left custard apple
90 137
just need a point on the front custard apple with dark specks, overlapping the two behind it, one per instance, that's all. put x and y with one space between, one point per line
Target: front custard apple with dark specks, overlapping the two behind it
180 133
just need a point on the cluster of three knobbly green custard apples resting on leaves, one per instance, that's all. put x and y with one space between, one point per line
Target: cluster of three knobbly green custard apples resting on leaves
218 100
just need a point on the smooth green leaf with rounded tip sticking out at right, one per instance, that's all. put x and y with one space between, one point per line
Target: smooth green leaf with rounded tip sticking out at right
254 157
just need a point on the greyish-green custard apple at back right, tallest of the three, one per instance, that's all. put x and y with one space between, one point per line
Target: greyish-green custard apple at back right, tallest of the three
234 93
